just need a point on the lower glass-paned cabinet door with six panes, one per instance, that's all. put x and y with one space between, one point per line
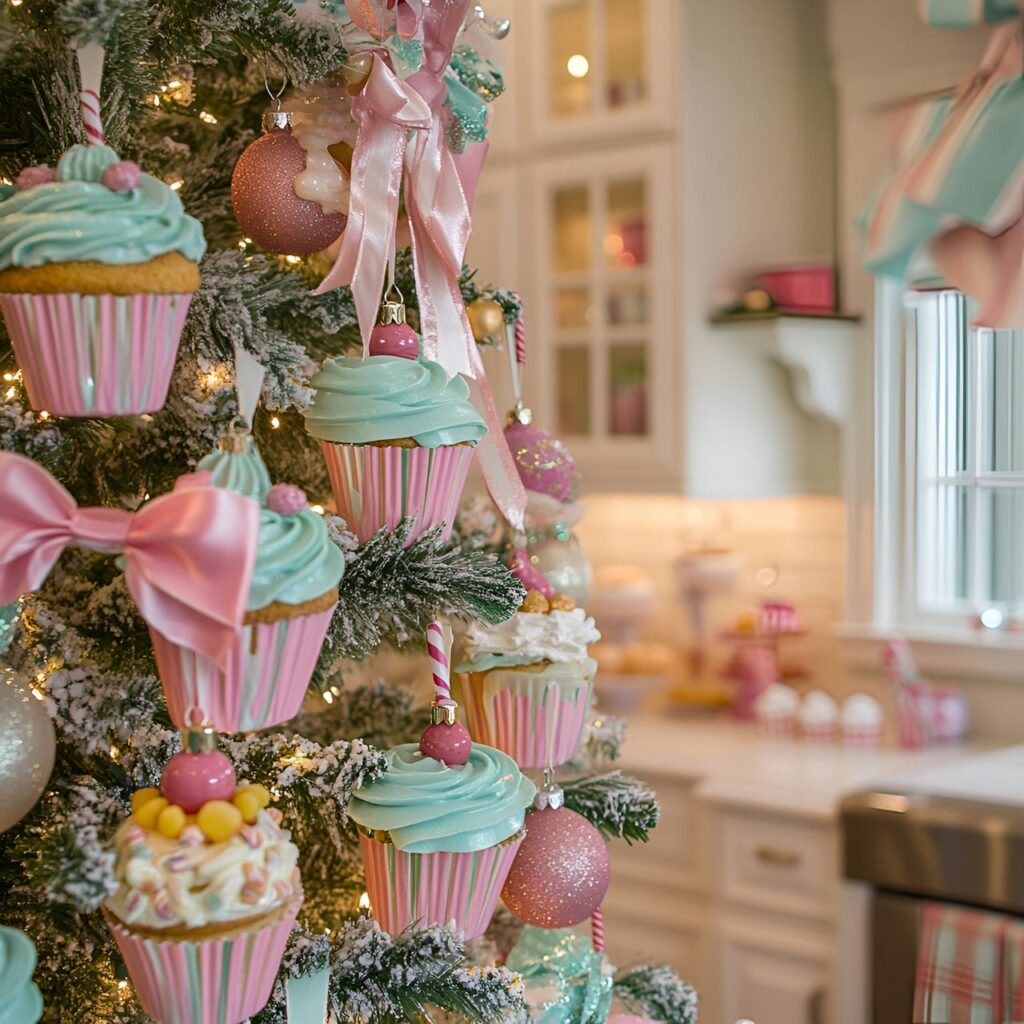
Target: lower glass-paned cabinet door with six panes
605 284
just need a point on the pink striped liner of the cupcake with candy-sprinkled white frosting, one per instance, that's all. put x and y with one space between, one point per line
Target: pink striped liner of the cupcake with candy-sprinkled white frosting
223 980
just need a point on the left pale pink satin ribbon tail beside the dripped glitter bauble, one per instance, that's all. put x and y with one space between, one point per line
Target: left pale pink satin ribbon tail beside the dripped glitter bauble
386 111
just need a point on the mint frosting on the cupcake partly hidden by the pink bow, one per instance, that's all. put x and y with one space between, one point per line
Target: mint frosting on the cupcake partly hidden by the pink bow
296 561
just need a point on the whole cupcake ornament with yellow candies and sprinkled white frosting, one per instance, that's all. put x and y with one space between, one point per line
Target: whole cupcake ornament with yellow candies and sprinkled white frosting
208 890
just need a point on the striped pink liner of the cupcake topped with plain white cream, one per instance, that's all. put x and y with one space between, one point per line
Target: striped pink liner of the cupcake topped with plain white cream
538 718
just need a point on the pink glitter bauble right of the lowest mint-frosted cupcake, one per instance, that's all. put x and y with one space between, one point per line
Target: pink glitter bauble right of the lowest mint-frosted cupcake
561 875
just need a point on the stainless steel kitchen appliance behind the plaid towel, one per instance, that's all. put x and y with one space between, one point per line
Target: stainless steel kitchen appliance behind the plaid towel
913 848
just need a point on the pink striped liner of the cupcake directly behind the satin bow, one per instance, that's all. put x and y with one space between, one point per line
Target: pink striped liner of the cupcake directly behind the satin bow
264 681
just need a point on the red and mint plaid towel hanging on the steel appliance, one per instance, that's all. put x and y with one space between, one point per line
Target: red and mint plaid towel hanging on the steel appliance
960 967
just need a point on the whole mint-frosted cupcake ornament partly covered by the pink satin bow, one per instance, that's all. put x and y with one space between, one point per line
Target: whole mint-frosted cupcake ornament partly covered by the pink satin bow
291 600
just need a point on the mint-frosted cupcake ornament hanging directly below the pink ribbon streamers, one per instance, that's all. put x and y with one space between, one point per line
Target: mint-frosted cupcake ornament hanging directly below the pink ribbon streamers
397 434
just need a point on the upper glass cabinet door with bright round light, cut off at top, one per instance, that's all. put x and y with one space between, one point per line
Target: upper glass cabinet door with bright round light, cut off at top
595 70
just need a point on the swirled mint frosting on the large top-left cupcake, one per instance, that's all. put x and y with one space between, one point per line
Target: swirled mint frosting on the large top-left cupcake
77 218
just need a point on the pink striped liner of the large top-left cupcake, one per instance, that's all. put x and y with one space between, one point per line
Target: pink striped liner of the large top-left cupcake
96 355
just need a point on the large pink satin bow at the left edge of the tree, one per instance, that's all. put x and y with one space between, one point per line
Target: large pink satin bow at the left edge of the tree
189 556
